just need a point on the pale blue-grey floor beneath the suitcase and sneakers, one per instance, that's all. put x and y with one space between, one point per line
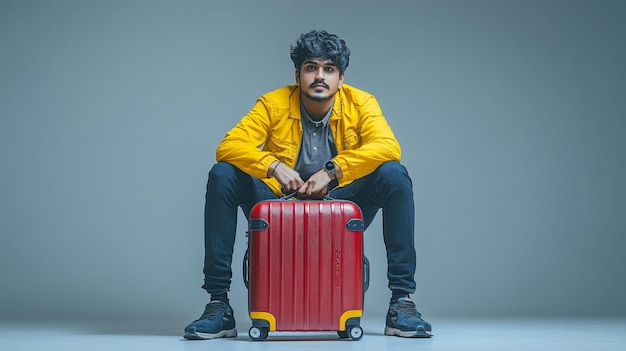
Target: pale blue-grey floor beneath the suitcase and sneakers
450 334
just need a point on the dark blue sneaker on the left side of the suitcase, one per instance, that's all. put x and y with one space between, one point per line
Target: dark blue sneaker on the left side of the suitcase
217 321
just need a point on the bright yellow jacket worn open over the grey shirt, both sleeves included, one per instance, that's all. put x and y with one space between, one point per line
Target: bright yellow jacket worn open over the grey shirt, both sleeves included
272 131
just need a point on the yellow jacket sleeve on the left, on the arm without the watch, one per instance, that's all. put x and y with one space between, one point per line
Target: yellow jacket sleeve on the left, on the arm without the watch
241 145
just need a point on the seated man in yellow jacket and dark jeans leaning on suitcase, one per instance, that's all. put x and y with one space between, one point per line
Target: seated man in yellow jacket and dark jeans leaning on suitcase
317 137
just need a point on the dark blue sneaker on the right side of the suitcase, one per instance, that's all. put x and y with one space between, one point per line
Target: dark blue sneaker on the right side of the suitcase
404 320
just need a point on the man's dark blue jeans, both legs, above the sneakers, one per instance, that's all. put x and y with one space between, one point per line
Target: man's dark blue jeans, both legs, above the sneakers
389 187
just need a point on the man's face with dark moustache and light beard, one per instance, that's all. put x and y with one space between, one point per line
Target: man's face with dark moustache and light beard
318 80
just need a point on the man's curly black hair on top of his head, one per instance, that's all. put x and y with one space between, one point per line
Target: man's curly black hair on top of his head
321 45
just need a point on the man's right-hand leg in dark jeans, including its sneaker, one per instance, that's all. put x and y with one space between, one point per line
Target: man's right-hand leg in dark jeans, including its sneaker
391 188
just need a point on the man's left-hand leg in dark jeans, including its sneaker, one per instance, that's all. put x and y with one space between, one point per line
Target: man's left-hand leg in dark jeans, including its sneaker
228 188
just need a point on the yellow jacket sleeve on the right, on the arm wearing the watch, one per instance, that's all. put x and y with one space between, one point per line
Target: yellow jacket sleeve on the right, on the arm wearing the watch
377 144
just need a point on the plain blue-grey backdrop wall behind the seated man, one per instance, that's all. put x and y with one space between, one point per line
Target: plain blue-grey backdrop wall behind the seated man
511 115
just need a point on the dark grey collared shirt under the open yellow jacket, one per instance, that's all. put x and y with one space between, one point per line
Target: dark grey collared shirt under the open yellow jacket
317 146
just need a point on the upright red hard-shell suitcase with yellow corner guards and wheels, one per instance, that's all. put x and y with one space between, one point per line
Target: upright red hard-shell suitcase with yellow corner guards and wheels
304 268
